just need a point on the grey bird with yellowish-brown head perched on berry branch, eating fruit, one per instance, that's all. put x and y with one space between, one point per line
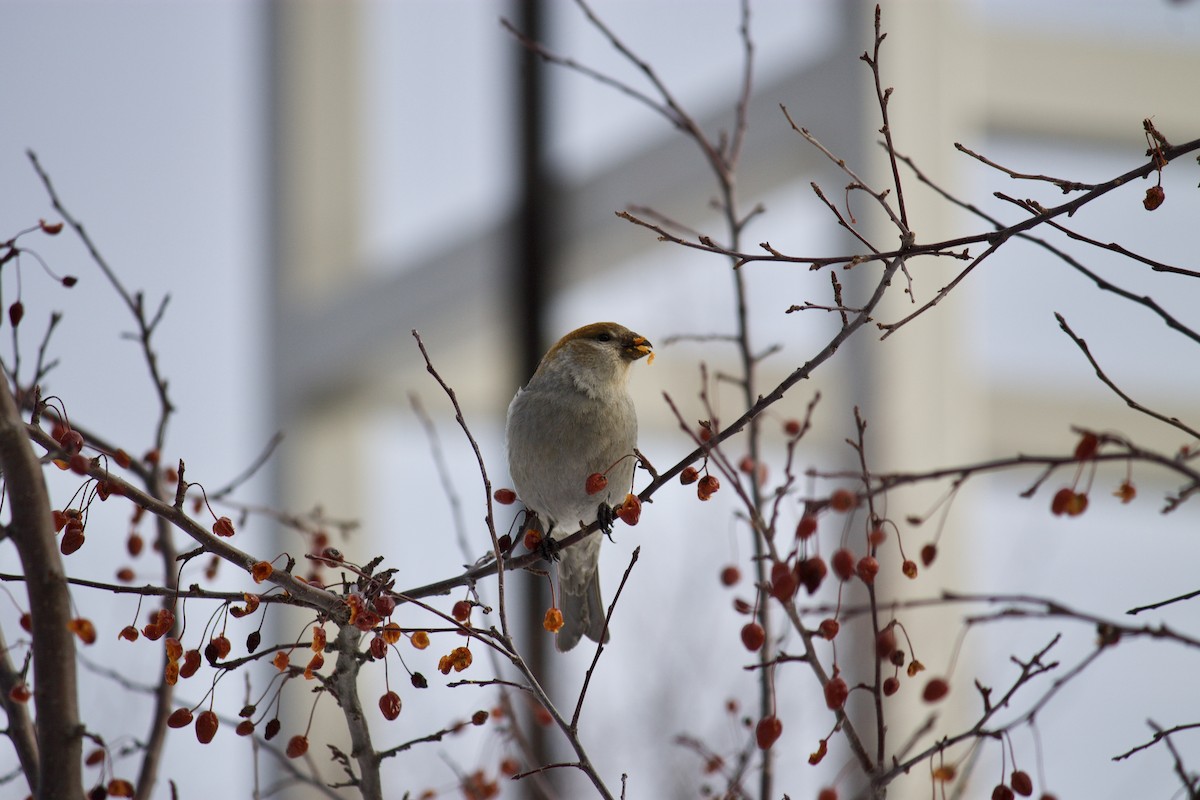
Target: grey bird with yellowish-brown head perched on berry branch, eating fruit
573 419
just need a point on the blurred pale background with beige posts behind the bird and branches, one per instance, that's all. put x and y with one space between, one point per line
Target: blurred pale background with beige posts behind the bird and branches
310 182
